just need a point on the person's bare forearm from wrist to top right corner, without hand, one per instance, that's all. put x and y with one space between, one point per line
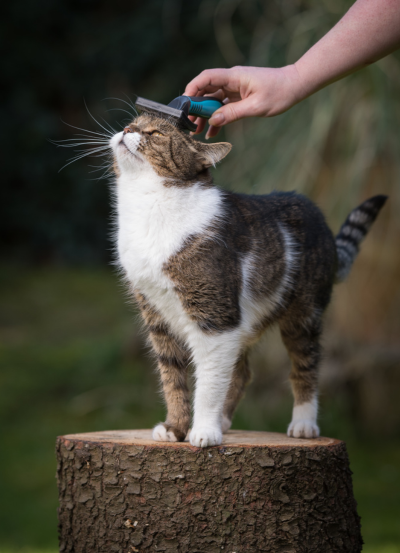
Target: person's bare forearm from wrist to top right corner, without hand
369 31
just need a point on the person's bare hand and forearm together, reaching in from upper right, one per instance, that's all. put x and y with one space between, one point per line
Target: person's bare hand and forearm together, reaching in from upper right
369 31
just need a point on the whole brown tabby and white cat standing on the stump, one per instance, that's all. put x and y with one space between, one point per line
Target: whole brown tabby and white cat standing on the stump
211 270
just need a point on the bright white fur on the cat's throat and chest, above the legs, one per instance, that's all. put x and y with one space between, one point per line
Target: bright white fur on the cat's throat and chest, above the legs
153 223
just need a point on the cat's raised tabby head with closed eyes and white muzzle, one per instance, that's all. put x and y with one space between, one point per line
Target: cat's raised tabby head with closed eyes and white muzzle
150 142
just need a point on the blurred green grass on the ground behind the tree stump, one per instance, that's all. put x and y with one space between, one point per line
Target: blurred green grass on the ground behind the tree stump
72 360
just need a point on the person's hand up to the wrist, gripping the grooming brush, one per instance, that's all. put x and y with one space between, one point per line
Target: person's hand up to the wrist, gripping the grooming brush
247 92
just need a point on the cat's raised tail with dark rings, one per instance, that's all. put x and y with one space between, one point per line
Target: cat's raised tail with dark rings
353 232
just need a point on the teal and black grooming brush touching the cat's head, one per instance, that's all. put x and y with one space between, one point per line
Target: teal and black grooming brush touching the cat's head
179 109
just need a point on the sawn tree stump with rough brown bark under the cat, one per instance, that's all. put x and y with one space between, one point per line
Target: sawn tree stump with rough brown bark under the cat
259 491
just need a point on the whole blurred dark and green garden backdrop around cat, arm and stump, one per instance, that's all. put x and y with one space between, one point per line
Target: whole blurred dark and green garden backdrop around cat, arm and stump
71 354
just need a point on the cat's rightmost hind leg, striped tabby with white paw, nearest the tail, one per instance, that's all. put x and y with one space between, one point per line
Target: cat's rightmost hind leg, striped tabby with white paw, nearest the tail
301 338
